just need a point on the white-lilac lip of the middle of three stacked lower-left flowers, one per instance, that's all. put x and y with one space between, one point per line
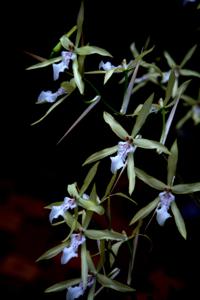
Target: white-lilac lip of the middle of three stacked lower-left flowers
71 251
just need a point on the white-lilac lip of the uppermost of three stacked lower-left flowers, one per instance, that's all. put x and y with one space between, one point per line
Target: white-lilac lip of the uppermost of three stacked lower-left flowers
59 210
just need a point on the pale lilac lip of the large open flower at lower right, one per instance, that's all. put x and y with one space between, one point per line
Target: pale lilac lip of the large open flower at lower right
162 211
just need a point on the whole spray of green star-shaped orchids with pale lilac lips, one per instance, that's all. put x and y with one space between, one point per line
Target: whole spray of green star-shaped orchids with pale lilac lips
98 265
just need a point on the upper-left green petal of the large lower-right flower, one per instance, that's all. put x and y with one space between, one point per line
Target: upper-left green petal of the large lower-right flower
151 181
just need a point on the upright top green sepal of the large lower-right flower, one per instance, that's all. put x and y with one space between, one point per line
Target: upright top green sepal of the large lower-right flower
172 163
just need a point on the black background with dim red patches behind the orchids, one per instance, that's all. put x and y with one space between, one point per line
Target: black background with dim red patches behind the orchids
35 171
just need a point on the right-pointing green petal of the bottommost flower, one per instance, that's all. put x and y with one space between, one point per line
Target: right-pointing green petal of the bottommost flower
113 284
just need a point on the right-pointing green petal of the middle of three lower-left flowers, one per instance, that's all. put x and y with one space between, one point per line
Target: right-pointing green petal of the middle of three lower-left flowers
104 235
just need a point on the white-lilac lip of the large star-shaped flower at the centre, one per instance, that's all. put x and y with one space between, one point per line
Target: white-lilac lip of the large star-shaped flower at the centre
118 161
